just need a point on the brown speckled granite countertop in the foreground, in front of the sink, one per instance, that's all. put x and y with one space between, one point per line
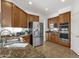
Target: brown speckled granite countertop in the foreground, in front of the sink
27 52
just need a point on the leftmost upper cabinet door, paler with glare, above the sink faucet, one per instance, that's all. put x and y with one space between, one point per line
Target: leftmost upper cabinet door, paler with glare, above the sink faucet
6 13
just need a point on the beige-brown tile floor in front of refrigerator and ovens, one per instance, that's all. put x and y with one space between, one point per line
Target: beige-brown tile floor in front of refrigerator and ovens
52 50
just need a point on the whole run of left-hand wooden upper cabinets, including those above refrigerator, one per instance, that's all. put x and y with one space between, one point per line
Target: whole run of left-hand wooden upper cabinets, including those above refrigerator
13 16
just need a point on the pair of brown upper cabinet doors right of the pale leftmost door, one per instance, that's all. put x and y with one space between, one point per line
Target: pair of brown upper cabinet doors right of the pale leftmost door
19 17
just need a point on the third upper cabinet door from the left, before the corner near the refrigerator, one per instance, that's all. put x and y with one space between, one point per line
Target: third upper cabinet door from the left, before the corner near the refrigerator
23 19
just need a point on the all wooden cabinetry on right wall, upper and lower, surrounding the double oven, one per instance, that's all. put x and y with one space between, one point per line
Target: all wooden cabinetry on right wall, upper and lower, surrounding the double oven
62 18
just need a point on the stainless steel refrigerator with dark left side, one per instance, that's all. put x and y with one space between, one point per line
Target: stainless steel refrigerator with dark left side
36 31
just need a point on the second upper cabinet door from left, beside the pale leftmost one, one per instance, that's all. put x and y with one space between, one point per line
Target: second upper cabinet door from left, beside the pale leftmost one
16 16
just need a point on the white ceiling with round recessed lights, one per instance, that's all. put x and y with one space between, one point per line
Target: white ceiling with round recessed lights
38 6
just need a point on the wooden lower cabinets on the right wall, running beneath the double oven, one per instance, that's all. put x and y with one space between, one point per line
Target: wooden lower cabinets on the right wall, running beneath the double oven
55 39
